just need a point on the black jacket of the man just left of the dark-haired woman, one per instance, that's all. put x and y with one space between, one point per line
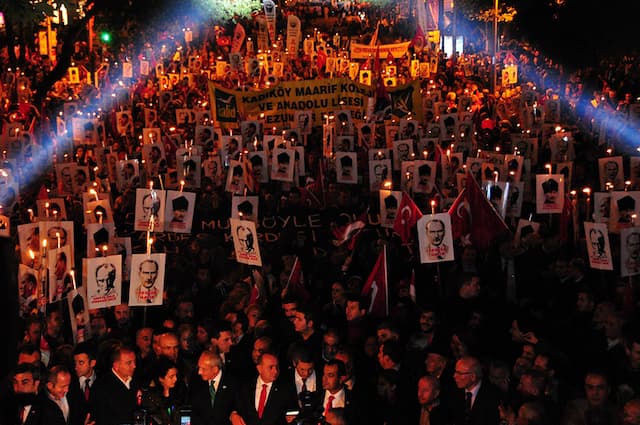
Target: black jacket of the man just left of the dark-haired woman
111 403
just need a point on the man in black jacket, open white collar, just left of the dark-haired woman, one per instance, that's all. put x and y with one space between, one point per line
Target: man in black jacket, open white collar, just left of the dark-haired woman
114 397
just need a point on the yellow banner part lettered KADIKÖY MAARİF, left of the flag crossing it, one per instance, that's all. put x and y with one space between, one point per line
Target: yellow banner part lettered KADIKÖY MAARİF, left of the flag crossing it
277 105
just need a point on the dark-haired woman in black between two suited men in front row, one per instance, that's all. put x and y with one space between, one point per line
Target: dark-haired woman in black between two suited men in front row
161 399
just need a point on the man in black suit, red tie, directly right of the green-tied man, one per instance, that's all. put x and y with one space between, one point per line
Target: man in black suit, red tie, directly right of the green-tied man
266 400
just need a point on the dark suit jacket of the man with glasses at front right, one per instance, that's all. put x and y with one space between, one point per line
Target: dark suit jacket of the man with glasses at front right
484 410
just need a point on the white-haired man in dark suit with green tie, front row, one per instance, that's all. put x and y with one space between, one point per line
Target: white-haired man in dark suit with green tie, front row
213 395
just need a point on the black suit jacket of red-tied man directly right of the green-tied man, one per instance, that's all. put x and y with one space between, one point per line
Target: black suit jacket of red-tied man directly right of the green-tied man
282 398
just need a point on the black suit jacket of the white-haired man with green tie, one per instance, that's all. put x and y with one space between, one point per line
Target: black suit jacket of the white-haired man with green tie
201 410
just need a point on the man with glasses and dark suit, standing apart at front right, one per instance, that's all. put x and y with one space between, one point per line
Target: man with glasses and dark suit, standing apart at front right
476 400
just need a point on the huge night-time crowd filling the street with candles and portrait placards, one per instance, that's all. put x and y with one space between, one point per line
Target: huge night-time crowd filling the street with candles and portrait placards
522 332
